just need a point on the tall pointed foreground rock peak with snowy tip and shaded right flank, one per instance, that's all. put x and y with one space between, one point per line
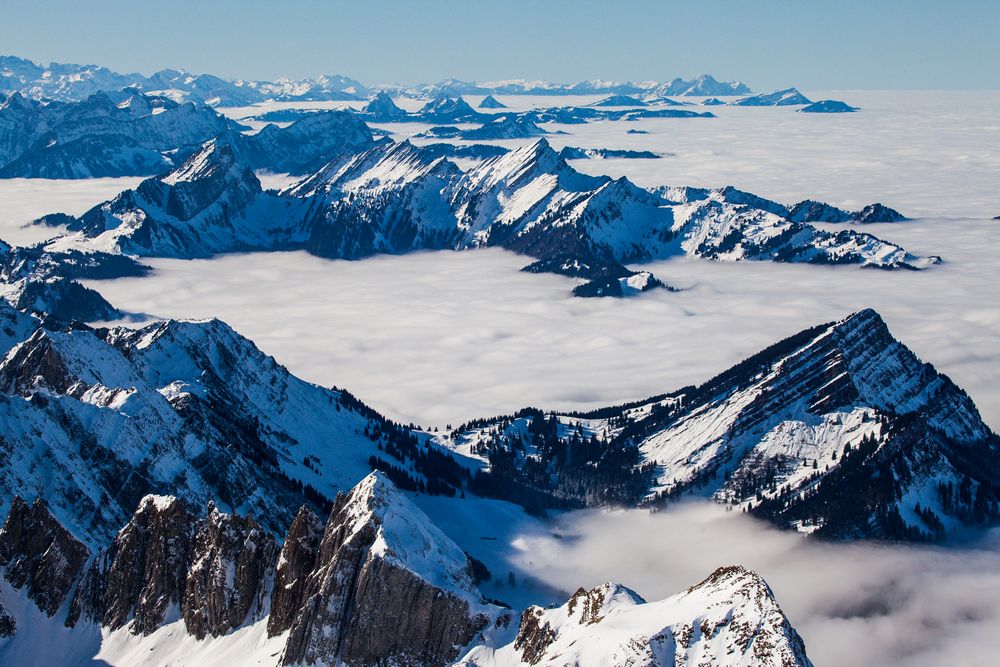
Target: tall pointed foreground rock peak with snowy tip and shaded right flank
381 565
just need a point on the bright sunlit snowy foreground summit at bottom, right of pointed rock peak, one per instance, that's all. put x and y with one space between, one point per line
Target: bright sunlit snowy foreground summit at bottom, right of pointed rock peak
730 618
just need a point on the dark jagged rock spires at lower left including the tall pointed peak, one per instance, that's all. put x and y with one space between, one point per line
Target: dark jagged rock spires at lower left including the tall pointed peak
380 584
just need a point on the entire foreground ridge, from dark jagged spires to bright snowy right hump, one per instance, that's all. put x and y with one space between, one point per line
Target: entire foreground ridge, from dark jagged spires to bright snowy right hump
378 584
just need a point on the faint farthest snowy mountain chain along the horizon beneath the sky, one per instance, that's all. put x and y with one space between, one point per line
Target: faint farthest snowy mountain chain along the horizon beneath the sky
70 82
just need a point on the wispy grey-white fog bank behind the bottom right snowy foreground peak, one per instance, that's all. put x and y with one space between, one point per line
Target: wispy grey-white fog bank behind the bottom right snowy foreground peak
856 605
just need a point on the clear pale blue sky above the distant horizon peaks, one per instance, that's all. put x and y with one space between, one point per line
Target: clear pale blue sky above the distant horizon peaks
817 44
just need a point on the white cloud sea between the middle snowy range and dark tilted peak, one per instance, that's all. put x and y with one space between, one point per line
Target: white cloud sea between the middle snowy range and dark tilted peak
439 338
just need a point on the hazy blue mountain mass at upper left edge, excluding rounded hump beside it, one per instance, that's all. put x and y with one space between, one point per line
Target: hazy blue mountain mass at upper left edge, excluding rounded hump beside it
100 137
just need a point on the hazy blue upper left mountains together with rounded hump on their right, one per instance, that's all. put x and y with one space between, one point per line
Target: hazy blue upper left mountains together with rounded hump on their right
142 135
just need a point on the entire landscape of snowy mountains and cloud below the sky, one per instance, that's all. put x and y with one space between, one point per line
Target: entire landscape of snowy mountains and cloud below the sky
492 373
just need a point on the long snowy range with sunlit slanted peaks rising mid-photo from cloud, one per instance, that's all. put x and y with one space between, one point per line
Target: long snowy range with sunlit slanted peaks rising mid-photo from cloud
396 197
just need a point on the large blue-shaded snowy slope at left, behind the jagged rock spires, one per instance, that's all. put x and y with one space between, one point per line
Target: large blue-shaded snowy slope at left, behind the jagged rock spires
99 418
